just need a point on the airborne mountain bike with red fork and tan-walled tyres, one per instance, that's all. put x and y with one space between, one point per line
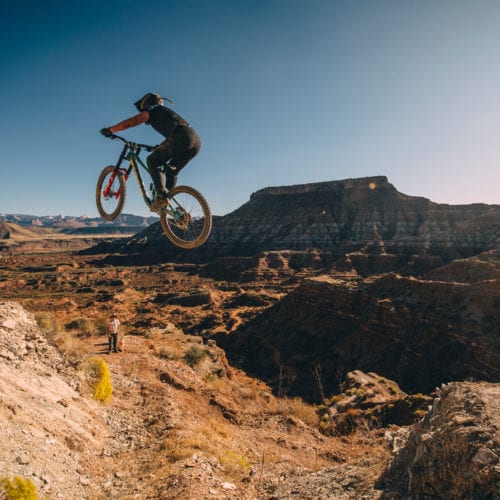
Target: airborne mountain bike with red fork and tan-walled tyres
185 217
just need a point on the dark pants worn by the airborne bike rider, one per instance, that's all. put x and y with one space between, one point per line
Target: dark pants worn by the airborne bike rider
178 149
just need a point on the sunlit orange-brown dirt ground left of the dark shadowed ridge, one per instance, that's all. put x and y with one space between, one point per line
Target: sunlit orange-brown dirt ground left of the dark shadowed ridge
175 427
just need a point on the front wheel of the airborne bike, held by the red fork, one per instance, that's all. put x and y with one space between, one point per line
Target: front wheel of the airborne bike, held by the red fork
110 193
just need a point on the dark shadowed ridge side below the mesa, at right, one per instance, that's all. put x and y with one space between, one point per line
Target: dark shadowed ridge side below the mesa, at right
417 332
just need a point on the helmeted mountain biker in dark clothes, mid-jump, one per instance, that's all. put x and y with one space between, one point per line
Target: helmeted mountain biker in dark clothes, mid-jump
181 142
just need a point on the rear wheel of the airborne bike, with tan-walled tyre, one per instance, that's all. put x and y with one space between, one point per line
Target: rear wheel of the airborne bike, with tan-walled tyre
186 220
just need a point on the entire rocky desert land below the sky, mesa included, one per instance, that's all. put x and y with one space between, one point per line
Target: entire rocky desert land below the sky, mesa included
311 372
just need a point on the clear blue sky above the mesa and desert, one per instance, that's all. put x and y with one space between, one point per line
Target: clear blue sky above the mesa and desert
281 92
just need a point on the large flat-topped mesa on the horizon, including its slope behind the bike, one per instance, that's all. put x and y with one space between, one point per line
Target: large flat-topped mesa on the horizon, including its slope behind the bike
378 227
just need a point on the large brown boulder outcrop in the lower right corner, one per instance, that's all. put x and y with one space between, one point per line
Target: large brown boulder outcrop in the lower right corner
454 451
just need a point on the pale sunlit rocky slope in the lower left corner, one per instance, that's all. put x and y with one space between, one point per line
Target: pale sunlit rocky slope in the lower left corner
48 432
